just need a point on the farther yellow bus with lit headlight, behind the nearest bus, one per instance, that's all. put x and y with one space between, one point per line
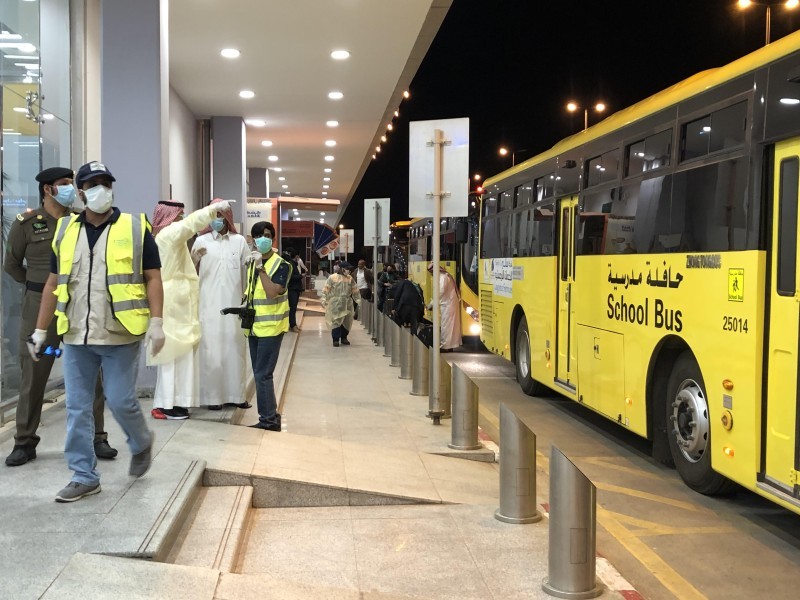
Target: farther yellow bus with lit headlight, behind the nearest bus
458 255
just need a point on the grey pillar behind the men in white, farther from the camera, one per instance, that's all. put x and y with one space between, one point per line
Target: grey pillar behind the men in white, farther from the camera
229 162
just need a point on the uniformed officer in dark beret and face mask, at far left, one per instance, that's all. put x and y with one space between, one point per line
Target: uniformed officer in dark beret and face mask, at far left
29 241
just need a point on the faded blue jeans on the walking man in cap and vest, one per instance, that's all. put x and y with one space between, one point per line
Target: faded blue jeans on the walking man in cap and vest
81 367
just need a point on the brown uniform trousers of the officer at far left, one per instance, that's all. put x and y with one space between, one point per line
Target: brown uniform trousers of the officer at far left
35 376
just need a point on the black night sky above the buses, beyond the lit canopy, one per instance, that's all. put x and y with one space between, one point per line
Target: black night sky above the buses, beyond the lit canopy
511 66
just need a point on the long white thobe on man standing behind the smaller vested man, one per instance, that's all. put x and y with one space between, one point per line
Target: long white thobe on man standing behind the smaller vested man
223 344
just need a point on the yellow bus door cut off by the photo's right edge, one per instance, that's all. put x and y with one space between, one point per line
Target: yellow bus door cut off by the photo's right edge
781 459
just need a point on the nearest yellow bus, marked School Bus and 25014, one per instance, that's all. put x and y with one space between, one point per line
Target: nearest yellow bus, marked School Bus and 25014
647 268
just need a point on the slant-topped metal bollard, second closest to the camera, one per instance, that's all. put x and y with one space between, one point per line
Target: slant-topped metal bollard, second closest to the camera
517 471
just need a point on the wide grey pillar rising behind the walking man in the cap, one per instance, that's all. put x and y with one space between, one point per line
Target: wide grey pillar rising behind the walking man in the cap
135 101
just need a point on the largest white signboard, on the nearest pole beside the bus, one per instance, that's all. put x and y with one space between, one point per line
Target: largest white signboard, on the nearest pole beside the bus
455 168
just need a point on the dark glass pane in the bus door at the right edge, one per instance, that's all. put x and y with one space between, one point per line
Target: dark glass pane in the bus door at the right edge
787 234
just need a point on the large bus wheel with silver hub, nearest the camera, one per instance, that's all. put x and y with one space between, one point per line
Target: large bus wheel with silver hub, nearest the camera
689 428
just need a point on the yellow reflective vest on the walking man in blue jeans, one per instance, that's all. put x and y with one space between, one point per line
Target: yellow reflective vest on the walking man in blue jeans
124 275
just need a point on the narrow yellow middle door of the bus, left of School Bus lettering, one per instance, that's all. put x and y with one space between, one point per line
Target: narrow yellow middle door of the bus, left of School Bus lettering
566 372
